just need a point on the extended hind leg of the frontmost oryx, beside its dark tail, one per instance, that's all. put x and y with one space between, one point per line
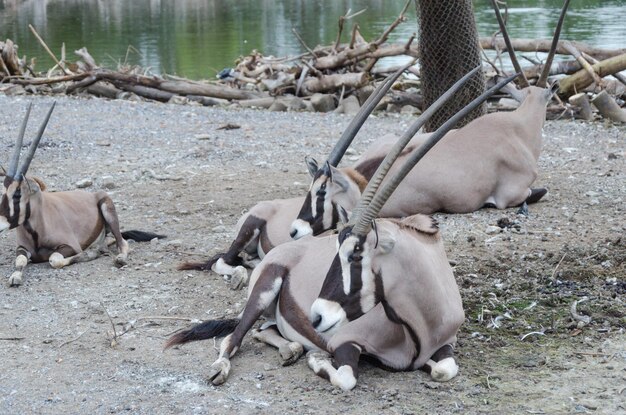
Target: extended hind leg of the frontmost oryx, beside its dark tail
261 297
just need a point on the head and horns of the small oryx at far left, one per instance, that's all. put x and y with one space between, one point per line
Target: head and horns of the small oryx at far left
17 190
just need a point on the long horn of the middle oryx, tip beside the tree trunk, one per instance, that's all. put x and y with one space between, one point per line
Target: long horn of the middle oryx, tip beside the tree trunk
357 122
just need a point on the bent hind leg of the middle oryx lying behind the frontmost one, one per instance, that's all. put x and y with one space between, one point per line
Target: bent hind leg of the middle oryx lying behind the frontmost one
246 241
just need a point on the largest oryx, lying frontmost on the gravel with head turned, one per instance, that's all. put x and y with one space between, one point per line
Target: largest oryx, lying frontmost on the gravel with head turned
406 321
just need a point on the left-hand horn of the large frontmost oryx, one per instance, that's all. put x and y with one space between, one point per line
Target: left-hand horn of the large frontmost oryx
395 151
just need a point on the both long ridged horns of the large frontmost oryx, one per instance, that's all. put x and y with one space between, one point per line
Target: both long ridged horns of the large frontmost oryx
373 200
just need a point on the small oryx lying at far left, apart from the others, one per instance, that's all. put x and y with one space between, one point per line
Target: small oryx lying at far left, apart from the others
57 227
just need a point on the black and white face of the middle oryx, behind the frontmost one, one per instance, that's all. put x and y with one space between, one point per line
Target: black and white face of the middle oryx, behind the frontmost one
319 213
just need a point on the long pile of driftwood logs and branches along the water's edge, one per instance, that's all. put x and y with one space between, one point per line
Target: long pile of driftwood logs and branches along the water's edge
337 77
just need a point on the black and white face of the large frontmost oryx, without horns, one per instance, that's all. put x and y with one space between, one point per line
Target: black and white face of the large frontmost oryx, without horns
350 289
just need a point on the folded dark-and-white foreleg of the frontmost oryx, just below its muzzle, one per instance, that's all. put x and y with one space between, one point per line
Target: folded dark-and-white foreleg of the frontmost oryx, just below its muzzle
345 371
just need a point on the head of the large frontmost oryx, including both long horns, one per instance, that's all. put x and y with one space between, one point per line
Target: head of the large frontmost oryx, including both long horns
354 283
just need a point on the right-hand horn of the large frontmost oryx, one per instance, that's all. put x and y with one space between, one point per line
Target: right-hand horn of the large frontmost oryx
364 221
